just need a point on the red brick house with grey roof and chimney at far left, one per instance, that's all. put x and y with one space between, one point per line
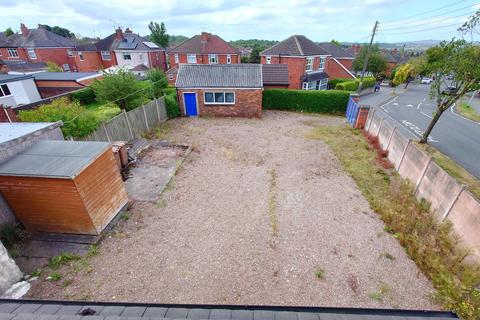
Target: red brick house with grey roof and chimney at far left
38 45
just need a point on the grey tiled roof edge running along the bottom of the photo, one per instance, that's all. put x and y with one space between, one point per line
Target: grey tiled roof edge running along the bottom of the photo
58 310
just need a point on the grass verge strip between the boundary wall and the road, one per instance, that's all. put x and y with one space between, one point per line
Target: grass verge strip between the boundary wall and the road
453 169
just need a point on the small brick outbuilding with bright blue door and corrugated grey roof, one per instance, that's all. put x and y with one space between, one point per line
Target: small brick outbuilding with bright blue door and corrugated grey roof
220 90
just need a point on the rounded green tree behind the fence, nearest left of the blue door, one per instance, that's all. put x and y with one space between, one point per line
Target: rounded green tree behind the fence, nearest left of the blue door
121 88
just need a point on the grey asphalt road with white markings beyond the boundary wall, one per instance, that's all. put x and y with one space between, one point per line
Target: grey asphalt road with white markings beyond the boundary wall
411 111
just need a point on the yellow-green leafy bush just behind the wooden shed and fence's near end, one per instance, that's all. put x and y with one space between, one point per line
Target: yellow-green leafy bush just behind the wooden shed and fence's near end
77 120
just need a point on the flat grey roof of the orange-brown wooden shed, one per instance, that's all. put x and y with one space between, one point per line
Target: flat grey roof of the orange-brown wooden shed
53 159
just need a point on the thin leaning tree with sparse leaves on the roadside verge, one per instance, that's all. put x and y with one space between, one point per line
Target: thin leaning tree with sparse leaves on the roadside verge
458 59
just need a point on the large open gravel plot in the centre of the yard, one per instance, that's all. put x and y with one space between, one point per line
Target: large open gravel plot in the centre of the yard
258 214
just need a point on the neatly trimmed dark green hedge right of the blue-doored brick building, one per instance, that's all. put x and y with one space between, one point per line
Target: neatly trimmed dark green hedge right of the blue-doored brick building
331 101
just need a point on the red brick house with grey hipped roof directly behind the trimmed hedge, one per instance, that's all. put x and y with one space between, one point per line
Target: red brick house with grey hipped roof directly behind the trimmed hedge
305 59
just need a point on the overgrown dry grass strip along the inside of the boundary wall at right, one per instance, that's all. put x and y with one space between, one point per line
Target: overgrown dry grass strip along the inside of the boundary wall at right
430 244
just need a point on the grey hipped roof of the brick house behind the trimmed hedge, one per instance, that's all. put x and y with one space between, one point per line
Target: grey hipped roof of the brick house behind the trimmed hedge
295 46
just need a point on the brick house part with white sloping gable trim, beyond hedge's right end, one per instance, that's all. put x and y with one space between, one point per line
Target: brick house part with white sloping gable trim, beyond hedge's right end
339 62
